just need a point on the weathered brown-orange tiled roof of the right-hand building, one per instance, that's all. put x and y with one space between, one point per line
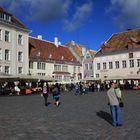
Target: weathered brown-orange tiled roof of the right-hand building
121 41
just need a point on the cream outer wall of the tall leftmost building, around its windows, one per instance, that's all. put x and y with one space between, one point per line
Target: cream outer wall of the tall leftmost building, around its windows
14 48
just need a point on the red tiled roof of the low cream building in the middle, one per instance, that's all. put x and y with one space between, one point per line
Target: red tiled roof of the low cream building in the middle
48 48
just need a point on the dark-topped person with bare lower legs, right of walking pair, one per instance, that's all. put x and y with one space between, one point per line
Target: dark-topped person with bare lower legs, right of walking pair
56 94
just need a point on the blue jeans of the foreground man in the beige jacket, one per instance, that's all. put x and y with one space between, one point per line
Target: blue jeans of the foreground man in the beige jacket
116 115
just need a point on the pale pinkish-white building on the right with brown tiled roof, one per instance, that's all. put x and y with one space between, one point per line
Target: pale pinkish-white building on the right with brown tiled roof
119 56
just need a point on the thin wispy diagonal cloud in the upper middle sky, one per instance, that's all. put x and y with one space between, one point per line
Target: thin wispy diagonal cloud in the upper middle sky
80 17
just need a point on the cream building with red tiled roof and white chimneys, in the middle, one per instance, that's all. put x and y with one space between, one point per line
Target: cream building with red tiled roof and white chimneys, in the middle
54 60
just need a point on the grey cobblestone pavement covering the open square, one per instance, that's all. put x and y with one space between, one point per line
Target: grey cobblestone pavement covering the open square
82 117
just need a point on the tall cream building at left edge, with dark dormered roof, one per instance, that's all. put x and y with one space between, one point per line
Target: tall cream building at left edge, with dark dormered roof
13 45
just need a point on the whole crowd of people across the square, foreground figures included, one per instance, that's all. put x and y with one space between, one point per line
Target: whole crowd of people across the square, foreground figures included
113 92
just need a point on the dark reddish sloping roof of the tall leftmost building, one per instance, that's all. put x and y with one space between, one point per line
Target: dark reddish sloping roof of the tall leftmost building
14 20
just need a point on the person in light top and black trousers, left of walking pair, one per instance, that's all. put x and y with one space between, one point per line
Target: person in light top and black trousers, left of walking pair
45 93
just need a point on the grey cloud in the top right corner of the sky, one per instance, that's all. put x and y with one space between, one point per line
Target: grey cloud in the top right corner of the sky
127 12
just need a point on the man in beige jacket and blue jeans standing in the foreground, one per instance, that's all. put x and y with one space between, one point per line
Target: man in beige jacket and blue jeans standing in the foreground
114 106
